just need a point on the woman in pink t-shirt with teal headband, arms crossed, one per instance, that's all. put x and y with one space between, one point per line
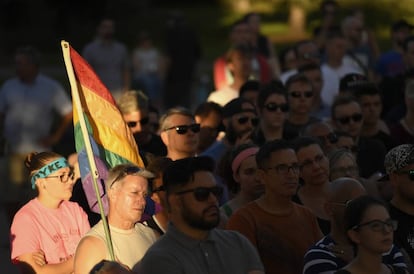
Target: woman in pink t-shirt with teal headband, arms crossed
45 232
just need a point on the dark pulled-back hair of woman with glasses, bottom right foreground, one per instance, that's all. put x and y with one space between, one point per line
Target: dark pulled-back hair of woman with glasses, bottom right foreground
355 210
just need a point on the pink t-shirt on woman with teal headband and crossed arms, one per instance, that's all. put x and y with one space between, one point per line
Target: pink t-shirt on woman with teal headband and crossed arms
55 231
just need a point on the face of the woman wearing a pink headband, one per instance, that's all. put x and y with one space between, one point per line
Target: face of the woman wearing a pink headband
248 179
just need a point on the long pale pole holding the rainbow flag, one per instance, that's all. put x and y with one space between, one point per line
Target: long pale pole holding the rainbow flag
88 146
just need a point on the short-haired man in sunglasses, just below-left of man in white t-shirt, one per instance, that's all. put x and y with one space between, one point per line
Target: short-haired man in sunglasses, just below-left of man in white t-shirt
301 96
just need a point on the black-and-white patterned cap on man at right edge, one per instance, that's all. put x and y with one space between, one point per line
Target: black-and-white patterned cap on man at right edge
399 157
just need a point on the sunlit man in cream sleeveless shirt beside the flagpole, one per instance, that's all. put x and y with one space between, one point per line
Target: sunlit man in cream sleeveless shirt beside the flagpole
127 188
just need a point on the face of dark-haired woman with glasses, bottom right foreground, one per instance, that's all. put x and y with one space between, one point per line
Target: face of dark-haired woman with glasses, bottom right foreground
374 233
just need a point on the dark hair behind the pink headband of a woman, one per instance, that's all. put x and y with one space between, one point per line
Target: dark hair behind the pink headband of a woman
224 166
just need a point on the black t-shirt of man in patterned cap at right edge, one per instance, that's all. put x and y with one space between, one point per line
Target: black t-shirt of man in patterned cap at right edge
404 235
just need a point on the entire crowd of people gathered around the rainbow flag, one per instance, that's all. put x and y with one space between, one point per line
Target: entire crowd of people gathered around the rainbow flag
301 162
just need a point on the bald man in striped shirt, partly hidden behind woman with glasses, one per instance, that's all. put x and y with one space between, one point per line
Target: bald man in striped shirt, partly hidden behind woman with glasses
334 251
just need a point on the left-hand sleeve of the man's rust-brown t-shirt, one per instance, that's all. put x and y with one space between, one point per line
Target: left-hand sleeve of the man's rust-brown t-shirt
240 222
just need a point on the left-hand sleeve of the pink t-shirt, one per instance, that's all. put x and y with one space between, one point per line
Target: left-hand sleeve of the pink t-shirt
23 236
